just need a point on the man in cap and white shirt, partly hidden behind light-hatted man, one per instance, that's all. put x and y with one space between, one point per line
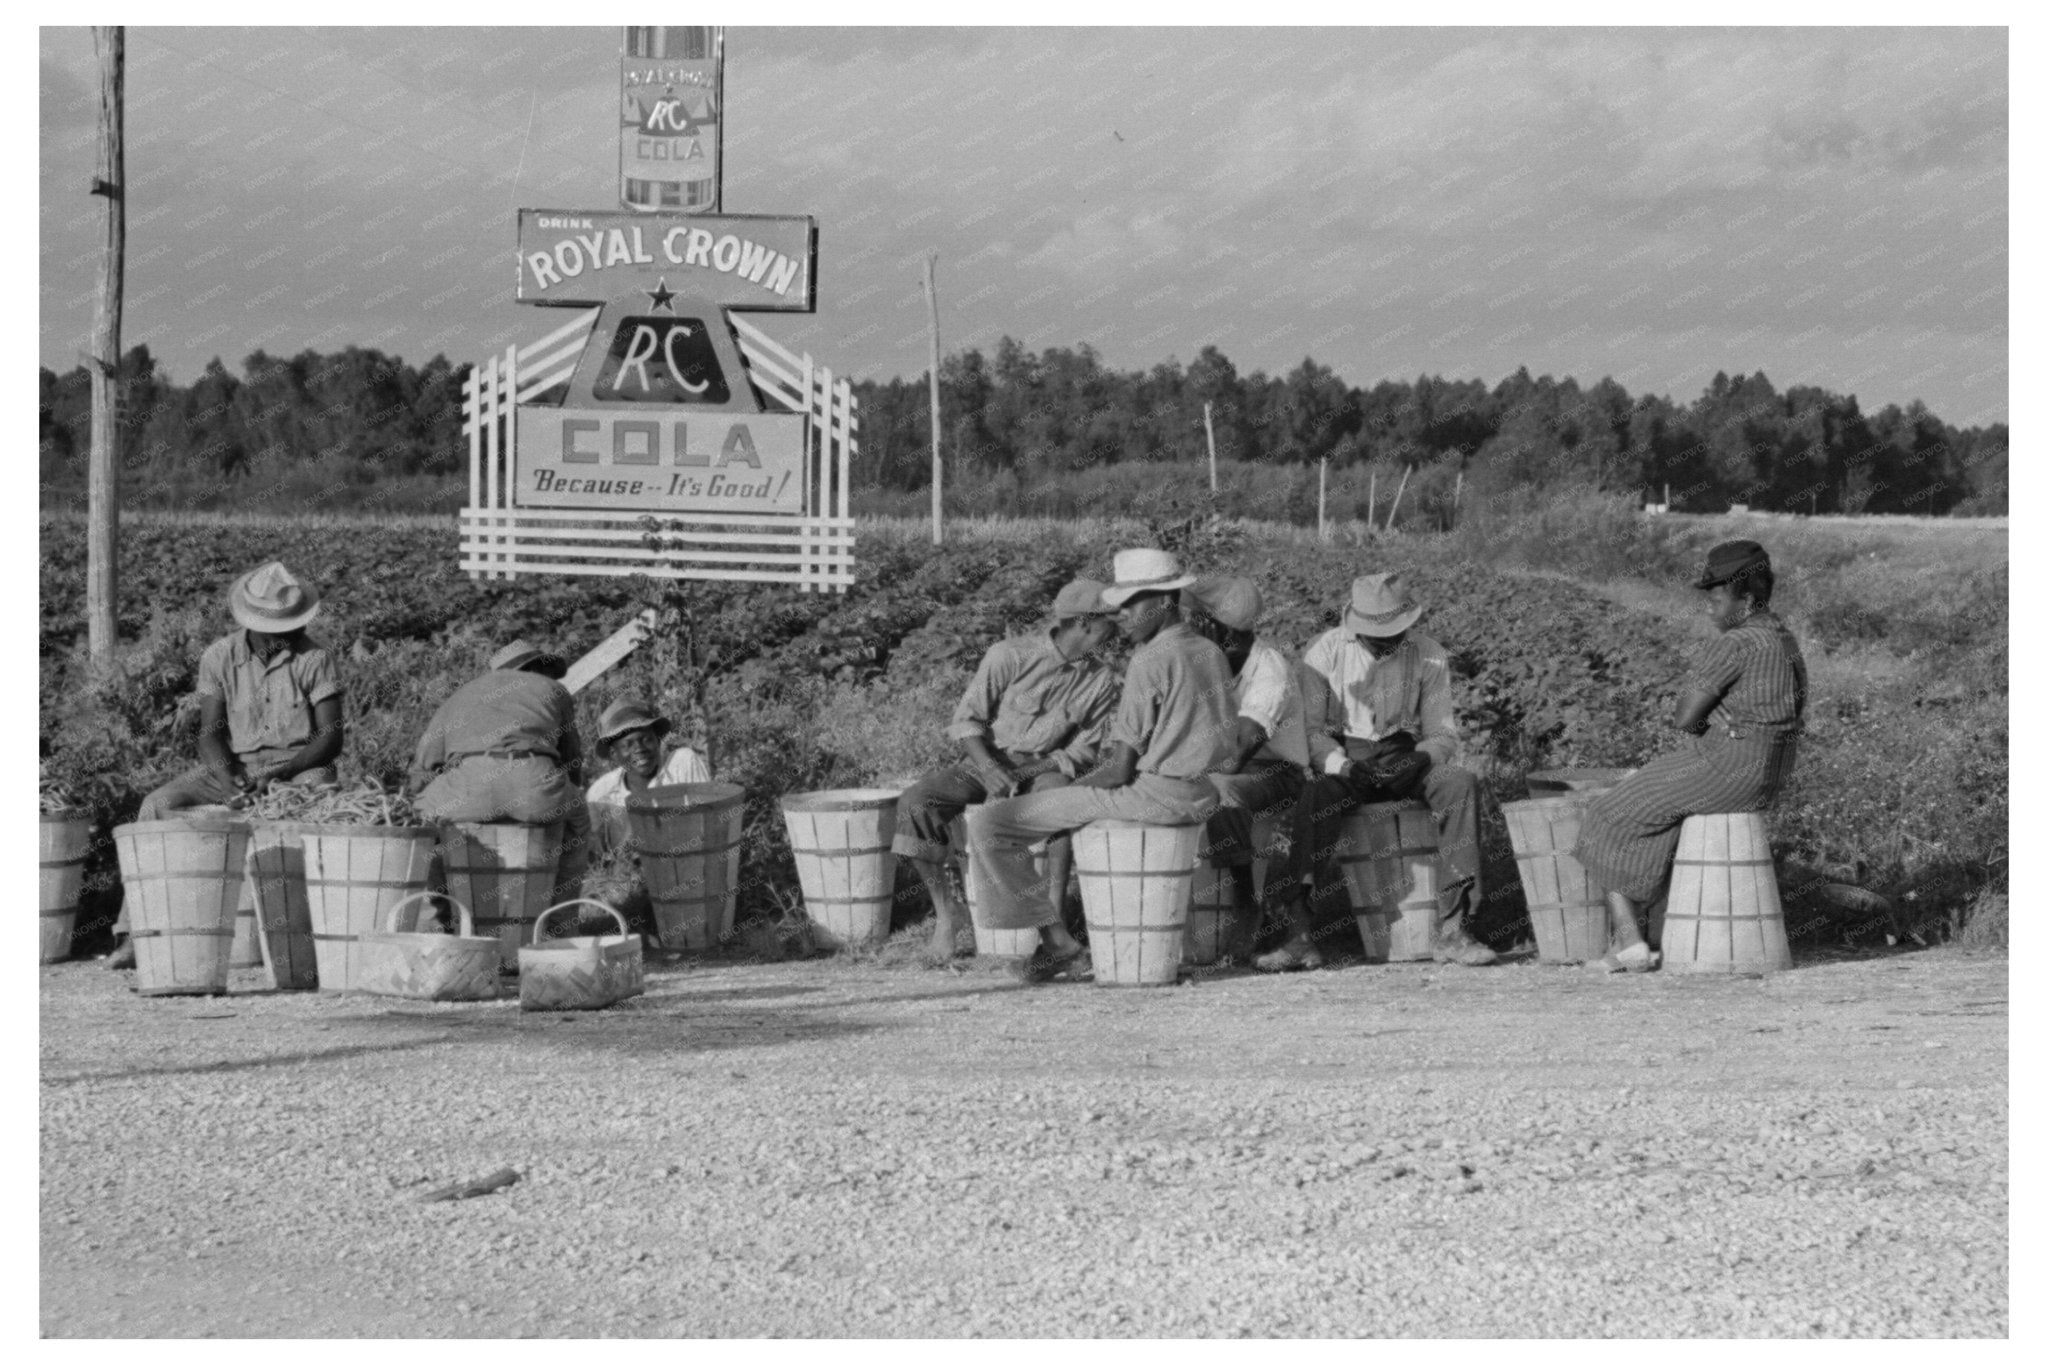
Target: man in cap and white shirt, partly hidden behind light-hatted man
1271 756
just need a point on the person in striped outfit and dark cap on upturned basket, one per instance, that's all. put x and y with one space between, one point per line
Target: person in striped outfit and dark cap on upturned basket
1744 703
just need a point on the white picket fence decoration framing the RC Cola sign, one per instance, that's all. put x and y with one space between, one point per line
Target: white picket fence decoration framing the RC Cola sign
814 552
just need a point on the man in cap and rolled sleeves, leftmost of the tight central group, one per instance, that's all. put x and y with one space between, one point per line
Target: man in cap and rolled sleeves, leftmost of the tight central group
1031 721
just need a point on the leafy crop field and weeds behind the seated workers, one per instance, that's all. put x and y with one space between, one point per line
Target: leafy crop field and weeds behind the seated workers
1568 629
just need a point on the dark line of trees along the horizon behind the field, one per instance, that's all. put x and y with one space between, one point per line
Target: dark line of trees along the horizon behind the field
1027 416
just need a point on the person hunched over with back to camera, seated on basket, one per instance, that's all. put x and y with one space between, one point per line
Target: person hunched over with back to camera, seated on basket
505 748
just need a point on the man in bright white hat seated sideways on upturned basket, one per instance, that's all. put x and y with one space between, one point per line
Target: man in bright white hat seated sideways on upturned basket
1175 728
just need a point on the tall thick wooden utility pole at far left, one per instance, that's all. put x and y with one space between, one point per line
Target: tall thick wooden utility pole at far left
103 476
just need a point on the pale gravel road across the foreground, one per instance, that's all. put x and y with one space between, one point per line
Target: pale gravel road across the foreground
824 1149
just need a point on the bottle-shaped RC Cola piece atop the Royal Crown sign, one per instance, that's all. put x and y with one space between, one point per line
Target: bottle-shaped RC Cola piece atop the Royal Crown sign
671 93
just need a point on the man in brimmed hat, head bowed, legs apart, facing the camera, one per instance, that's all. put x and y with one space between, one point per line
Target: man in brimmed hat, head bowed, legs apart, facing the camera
1383 732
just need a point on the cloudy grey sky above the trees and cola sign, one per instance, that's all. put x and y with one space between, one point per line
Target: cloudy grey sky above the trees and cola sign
1654 206
